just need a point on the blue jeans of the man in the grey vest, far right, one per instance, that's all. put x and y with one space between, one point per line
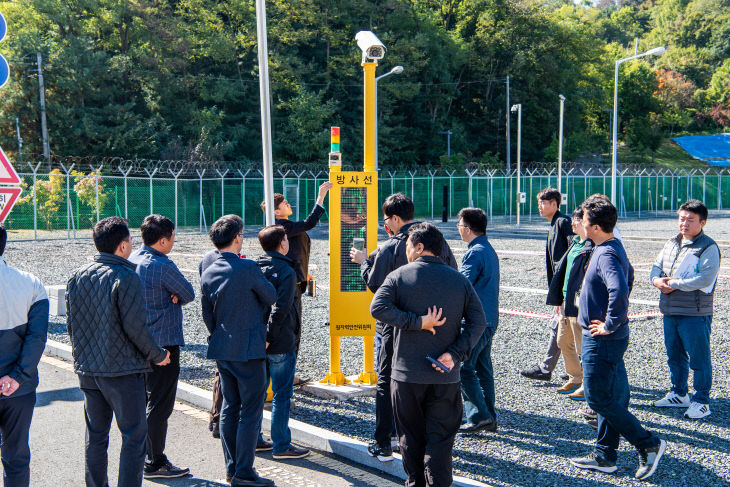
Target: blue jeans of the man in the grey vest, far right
687 339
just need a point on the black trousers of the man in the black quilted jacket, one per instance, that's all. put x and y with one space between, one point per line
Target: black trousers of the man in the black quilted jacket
123 398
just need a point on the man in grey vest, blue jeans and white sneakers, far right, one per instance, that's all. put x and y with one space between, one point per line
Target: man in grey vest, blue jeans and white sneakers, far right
686 273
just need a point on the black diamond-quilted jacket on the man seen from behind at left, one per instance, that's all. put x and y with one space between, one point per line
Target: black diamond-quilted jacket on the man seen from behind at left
106 319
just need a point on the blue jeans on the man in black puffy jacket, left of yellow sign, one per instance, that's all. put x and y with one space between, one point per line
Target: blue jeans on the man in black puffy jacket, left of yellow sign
281 370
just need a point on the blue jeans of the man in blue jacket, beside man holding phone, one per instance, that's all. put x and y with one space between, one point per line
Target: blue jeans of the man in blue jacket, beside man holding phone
477 380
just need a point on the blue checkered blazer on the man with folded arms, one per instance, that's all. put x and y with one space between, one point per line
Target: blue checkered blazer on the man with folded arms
160 280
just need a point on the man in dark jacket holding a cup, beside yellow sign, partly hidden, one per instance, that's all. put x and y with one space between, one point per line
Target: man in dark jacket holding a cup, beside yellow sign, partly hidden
398 211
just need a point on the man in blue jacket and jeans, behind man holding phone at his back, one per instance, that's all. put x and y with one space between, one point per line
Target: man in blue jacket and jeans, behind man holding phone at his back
481 266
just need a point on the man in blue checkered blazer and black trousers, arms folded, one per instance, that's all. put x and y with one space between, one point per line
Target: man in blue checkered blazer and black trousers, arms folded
165 292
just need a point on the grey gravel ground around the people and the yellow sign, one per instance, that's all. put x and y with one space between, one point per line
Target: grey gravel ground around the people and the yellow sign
538 429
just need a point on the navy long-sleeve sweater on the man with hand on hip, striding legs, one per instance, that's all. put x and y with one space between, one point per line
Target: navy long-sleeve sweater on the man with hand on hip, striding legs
605 292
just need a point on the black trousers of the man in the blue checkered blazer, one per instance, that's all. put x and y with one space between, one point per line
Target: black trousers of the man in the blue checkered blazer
161 385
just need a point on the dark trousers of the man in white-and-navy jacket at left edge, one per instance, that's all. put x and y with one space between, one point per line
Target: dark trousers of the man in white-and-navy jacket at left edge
16 413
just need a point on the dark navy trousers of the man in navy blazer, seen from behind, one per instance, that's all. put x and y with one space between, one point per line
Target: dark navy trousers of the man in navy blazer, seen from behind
243 385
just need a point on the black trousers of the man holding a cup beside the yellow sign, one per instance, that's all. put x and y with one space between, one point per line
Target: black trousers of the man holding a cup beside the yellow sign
383 404
